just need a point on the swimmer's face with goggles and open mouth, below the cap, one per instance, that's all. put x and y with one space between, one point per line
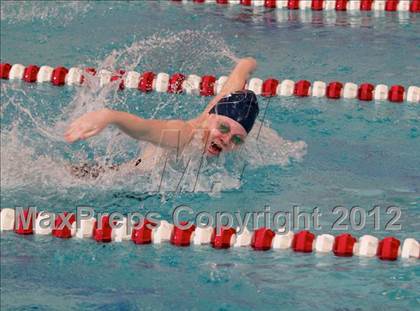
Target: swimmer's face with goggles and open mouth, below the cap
224 135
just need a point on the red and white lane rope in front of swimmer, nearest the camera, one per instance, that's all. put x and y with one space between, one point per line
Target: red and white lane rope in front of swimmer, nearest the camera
343 245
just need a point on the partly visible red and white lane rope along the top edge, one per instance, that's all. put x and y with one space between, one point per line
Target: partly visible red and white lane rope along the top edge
412 6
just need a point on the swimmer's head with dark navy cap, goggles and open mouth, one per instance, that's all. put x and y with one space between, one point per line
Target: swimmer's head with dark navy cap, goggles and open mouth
230 121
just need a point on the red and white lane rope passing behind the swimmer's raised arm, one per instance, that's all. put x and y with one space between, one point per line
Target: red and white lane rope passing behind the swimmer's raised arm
209 85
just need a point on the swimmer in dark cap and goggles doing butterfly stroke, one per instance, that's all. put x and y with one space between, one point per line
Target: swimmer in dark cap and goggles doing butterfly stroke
226 122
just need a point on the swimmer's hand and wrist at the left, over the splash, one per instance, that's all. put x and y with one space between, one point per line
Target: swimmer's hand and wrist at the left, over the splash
88 125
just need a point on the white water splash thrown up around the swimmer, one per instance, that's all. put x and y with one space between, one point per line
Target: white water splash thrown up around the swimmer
35 157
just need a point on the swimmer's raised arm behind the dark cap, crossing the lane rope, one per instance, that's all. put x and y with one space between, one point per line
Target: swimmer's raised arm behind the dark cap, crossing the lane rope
236 80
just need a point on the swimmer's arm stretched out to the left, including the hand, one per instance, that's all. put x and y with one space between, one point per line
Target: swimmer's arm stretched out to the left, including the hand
165 133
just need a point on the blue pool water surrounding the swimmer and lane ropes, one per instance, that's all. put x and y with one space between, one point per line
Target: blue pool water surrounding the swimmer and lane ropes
330 153
